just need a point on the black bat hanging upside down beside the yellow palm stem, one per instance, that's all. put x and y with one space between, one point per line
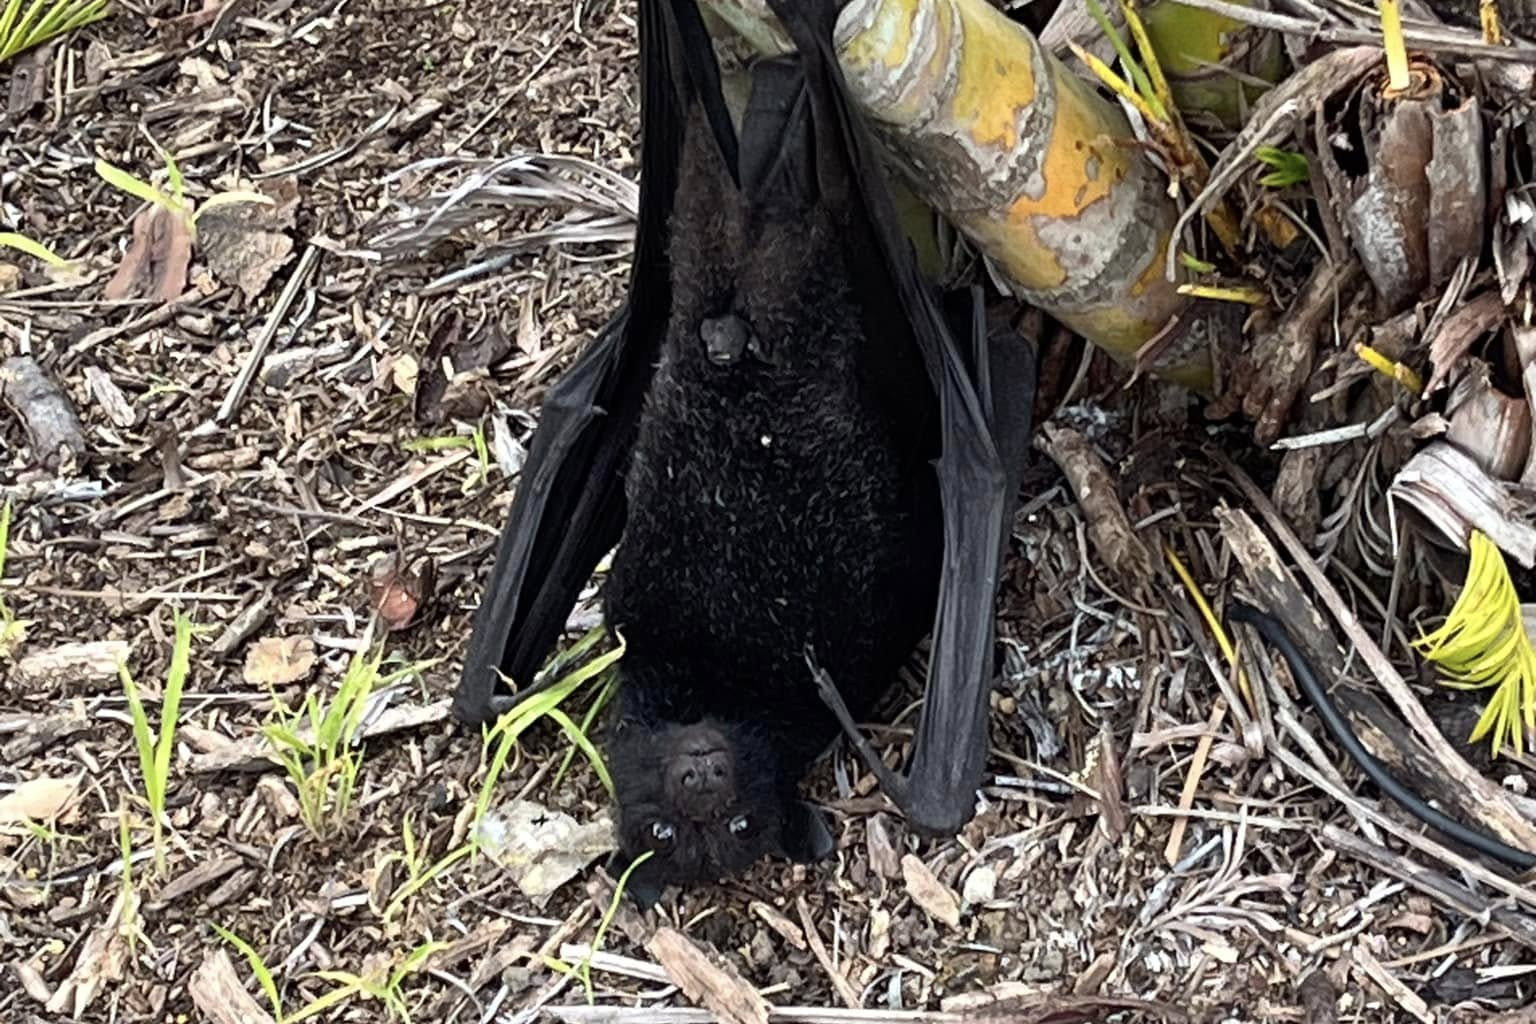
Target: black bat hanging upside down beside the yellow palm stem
801 455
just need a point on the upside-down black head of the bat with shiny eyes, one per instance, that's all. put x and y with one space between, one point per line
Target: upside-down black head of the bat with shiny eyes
707 801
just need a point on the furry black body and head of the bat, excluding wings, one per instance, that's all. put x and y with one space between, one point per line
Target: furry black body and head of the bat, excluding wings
773 503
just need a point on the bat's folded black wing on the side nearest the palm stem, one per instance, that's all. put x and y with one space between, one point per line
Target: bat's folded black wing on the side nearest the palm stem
985 386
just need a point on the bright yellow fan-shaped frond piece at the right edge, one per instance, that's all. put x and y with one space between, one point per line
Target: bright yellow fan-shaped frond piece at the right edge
1483 642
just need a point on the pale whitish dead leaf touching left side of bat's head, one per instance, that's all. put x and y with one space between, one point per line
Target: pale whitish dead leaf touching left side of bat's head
543 848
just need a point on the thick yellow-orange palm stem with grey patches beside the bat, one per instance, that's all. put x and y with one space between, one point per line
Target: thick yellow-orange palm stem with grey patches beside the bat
1025 159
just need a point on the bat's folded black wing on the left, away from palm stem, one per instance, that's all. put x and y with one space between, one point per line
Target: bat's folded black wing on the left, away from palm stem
569 507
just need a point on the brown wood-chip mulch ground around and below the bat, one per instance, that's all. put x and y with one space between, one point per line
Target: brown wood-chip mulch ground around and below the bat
285 504
